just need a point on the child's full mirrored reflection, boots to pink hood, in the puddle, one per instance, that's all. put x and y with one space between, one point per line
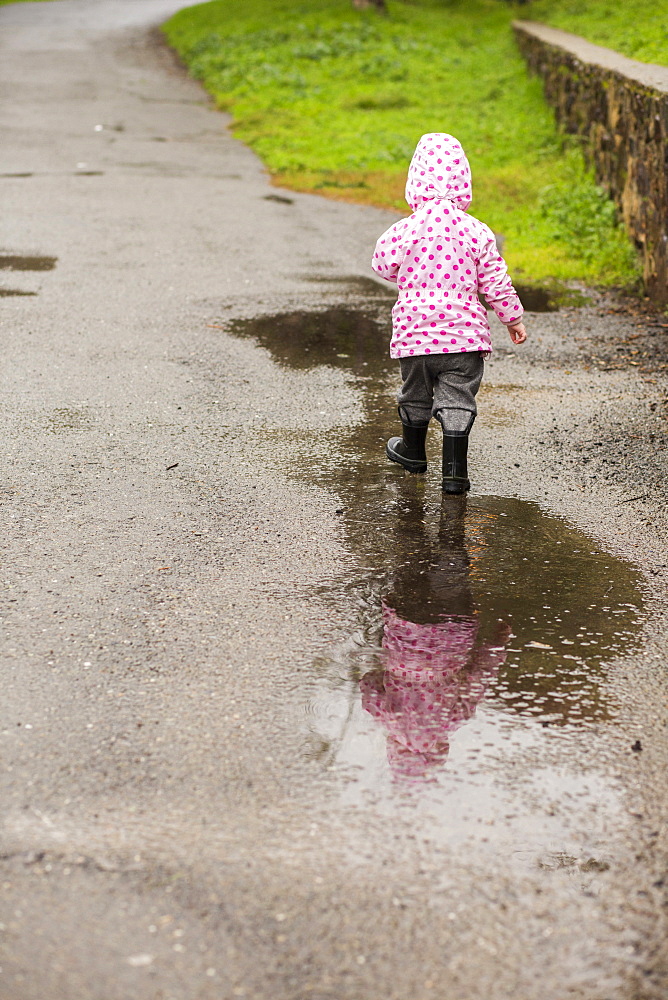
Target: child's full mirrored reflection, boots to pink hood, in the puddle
433 669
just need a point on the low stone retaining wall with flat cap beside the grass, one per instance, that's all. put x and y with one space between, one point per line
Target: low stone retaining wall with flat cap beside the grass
620 108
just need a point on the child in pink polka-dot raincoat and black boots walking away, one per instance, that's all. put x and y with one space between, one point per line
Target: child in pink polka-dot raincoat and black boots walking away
440 259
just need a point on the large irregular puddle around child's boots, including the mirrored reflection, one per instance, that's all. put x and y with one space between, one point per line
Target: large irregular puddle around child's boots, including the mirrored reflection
484 625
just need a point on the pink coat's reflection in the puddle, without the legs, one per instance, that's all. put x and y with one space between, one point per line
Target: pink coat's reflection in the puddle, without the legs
434 677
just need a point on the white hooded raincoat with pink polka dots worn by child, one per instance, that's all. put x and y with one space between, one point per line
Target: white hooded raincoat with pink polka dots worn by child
441 258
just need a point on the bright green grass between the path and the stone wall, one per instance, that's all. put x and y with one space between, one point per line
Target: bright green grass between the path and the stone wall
334 100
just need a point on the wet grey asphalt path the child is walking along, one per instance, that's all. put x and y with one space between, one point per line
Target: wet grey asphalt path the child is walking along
199 534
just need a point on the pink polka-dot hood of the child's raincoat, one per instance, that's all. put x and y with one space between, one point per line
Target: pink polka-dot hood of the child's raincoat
439 170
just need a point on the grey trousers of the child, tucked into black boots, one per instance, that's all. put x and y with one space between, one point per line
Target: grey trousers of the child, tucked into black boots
442 386
